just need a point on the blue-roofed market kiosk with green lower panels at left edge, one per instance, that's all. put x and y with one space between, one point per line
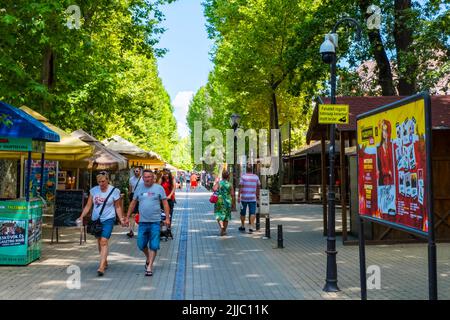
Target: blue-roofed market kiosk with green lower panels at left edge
21 218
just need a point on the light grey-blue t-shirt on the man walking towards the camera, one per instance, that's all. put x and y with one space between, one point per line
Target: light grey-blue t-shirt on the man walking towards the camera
149 202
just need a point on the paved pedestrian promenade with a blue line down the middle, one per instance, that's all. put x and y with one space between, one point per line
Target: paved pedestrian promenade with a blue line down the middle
198 264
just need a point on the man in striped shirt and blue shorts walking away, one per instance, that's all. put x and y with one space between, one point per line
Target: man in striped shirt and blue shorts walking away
248 196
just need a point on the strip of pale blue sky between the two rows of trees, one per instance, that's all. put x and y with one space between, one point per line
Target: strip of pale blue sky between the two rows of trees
184 69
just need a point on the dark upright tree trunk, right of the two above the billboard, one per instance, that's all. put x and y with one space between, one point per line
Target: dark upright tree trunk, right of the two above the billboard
403 36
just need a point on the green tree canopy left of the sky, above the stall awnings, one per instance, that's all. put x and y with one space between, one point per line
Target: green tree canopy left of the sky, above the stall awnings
101 77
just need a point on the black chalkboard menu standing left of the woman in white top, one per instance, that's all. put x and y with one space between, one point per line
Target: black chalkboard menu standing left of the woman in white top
68 207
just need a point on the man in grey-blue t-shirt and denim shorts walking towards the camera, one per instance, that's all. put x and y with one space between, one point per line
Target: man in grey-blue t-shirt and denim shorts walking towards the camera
150 195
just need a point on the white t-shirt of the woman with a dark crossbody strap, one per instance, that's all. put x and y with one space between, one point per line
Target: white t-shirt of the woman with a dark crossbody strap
98 197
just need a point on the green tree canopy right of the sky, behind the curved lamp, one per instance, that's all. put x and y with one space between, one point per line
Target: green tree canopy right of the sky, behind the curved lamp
267 65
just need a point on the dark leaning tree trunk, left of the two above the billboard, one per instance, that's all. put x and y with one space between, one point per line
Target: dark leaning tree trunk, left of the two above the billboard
385 79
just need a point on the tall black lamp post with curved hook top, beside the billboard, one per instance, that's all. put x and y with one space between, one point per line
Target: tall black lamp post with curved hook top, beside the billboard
328 52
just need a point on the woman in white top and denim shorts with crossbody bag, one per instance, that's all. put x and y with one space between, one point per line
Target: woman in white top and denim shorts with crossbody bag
97 197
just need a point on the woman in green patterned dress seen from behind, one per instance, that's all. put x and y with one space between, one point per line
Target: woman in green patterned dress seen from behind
222 208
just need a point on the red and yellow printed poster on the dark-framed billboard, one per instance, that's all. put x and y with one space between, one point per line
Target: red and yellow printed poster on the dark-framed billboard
392 165
